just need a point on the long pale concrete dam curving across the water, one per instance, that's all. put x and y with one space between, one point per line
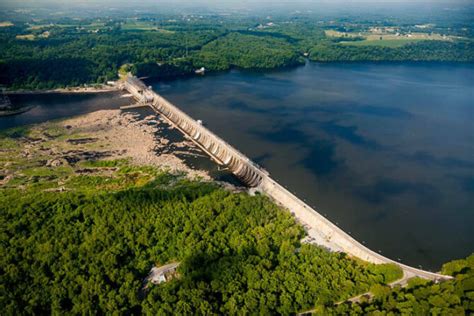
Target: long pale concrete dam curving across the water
320 230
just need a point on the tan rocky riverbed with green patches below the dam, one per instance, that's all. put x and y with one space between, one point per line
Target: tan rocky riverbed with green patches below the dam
34 154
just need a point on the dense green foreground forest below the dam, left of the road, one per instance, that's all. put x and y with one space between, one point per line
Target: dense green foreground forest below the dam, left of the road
90 252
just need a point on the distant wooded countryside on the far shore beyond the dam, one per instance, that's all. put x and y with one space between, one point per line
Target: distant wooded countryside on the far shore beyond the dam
69 52
